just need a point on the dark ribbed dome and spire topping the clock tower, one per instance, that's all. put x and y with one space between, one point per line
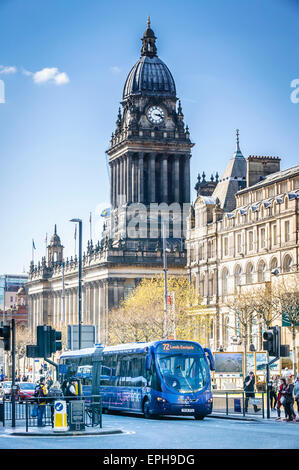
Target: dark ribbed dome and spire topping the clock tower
149 76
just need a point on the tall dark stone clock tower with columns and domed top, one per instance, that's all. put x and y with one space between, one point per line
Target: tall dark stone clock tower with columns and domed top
149 155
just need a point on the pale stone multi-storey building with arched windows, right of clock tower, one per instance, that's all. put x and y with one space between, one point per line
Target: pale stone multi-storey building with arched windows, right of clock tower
239 235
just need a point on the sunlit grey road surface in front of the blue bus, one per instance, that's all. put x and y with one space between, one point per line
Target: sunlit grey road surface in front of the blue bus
171 432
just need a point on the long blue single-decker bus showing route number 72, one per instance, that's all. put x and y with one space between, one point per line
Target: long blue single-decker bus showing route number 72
168 377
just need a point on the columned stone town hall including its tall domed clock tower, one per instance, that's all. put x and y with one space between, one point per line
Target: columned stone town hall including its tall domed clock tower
149 158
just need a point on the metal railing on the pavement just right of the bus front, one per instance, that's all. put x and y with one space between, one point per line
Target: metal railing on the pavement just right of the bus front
239 403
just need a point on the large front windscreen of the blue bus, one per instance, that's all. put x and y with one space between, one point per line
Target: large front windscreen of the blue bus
183 372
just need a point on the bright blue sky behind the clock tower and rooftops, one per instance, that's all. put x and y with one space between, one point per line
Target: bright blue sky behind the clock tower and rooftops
232 61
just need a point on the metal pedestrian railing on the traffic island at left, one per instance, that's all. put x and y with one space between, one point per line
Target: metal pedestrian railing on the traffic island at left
26 413
